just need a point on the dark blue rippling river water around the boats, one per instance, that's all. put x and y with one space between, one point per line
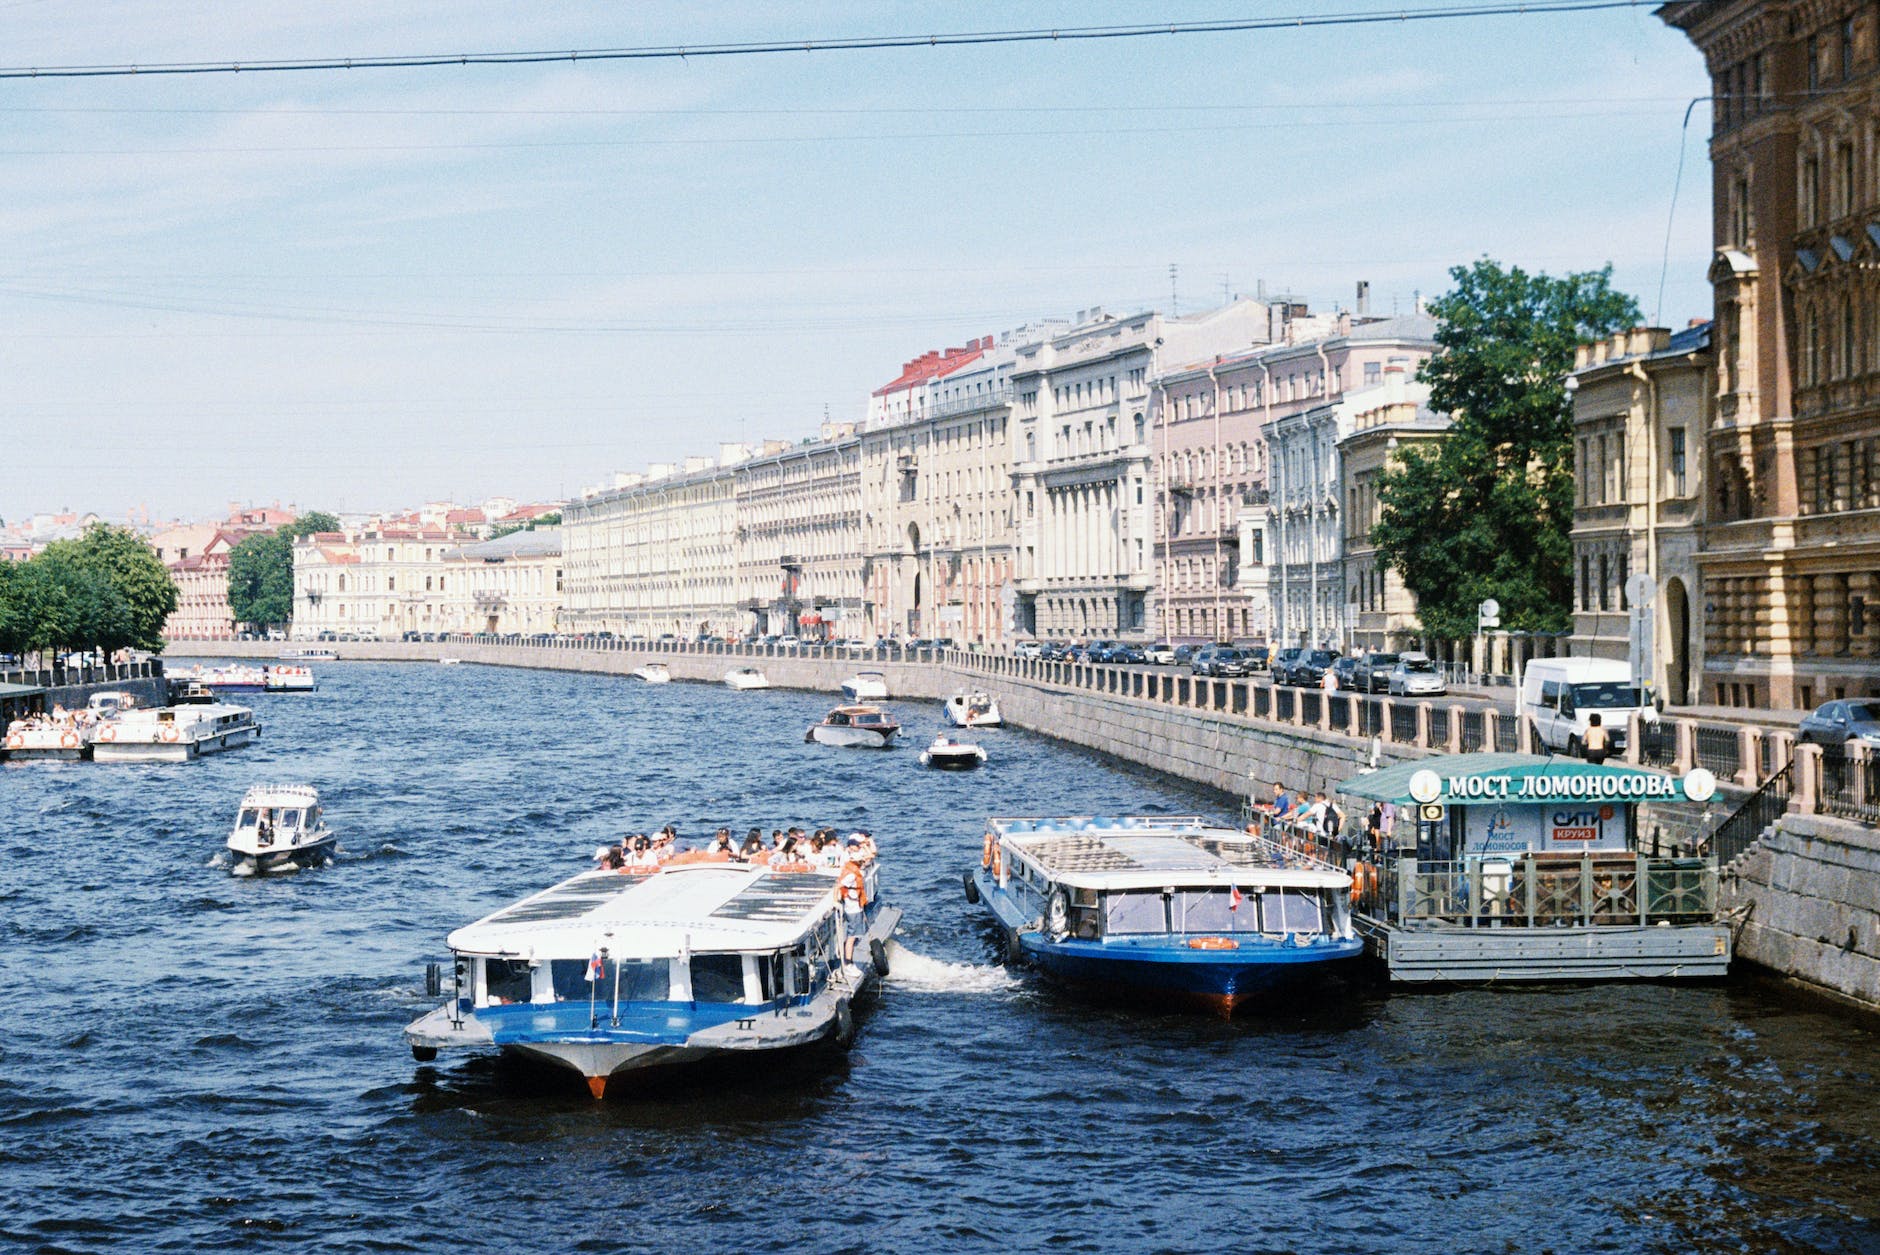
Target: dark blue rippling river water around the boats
198 1062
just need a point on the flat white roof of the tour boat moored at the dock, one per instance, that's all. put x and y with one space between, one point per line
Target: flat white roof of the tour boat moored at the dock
1159 852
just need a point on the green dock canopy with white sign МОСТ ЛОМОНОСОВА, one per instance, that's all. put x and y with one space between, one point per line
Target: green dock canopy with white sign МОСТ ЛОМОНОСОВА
1480 779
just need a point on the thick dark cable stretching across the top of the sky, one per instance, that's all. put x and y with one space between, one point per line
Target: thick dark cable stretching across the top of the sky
856 44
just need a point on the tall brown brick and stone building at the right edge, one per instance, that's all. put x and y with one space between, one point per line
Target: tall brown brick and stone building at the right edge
1791 557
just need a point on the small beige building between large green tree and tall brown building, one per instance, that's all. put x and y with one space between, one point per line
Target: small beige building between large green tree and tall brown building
1642 405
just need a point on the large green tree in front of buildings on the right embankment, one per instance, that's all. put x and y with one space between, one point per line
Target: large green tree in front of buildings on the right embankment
1486 512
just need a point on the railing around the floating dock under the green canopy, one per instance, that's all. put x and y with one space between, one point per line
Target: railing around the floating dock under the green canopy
1541 890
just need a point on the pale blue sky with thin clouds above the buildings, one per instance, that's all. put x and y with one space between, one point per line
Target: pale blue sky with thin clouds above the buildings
377 288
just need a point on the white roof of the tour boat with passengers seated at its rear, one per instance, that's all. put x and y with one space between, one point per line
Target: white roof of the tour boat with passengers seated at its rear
710 906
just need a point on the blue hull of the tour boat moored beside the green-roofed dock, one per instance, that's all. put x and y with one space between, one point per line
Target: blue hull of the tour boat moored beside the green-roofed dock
1172 972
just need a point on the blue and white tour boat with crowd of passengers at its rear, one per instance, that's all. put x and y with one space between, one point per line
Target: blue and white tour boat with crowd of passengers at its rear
616 972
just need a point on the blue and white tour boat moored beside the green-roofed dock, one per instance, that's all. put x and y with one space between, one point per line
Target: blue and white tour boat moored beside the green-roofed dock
1165 908
